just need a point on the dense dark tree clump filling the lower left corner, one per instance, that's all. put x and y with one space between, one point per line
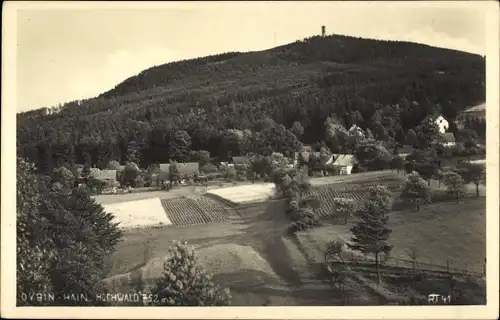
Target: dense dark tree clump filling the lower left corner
63 239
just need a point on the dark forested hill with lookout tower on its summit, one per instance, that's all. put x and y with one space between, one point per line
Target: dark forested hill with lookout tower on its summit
236 103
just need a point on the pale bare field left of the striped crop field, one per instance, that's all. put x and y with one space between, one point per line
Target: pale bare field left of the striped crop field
140 213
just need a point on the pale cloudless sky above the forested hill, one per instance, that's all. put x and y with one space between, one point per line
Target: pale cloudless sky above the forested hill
79 52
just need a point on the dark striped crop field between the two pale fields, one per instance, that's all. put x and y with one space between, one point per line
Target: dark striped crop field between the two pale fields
194 210
